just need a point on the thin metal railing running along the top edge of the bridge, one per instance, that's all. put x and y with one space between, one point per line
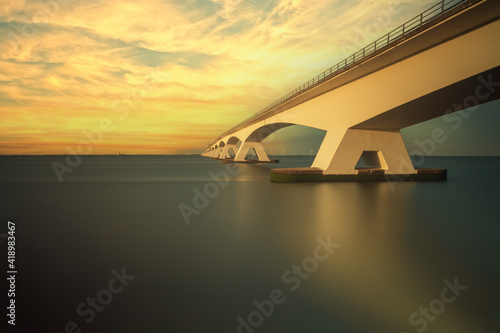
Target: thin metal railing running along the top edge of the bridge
392 38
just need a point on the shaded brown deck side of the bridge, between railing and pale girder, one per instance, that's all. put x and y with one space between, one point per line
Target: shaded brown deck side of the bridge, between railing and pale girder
463 17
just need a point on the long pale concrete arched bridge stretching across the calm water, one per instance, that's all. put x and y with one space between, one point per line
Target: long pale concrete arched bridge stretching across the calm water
440 62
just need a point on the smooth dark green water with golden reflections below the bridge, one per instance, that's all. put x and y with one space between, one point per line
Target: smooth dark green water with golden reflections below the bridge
392 246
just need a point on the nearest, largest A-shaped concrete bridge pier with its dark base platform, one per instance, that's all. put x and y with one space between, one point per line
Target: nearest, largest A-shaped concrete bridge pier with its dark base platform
383 152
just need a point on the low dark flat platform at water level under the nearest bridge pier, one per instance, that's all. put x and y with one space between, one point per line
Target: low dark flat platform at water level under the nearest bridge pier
297 175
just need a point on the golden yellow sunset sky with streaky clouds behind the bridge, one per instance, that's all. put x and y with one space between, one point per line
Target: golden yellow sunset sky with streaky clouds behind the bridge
169 76
